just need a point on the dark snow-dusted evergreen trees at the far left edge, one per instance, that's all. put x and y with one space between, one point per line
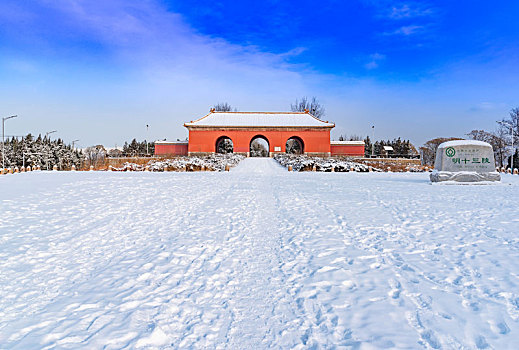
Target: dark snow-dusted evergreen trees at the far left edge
40 151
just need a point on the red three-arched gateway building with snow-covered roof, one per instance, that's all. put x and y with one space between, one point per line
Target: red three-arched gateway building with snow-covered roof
284 132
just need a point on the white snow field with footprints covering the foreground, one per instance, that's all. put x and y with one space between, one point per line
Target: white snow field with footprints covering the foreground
257 258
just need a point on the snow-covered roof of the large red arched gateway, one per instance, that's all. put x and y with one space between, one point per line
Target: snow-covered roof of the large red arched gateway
260 119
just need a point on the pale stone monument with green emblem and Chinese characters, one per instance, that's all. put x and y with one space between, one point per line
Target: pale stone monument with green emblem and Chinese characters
464 161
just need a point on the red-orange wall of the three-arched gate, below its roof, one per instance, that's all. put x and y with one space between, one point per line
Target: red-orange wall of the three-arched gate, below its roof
315 140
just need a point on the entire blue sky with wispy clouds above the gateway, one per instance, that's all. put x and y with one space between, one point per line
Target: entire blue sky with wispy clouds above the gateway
101 71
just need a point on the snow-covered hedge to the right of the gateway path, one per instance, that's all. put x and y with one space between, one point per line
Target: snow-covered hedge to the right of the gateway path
305 163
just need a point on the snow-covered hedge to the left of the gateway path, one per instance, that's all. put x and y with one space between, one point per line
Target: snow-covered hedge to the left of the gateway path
216 162
